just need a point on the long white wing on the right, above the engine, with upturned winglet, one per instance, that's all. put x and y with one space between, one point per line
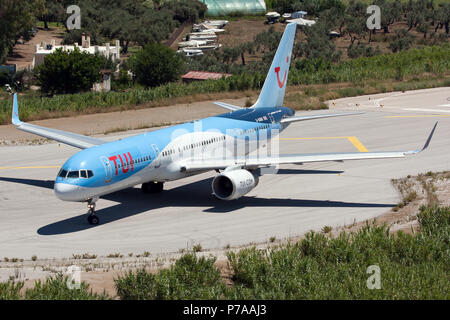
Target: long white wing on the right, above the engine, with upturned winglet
255 162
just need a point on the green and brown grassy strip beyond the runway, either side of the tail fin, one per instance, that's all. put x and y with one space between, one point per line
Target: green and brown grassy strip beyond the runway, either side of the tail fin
420 68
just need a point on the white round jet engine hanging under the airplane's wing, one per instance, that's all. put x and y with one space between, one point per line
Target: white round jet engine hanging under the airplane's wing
230 185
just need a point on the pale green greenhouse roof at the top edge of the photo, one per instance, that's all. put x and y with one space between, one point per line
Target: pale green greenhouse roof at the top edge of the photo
227 7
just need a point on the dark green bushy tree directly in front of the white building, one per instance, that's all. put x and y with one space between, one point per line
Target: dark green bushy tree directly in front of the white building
70 72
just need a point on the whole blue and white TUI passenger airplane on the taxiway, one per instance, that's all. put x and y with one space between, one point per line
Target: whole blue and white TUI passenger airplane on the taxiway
195 147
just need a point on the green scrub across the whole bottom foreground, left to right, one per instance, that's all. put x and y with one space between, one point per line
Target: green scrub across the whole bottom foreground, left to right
412 266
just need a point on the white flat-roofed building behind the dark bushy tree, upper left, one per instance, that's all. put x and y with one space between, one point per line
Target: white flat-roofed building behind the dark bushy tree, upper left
44 49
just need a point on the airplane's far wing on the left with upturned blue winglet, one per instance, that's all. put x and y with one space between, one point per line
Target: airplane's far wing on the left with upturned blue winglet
72 139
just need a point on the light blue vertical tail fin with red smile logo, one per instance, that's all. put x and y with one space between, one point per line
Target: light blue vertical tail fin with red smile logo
272 93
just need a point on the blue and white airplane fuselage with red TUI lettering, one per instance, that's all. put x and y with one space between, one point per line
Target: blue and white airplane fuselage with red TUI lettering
158 155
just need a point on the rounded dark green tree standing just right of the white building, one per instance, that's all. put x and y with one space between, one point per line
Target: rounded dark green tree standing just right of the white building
155 65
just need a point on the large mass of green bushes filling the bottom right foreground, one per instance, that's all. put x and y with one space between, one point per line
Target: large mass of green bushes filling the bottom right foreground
412 267
